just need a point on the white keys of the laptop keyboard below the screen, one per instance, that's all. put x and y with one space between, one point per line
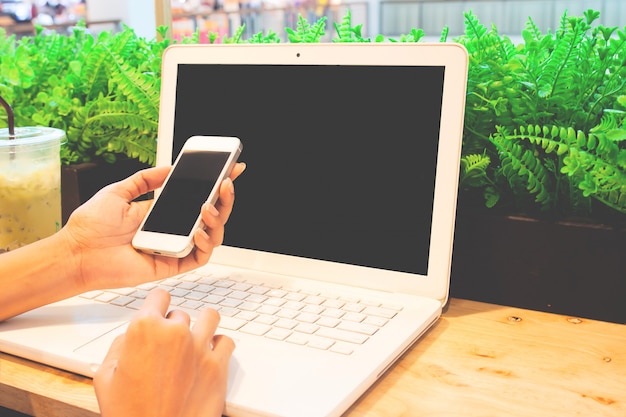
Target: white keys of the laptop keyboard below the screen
335 324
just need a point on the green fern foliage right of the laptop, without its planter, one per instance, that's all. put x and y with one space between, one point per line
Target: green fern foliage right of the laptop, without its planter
547 118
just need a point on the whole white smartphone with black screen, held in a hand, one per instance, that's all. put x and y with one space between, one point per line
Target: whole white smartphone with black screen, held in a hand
201 166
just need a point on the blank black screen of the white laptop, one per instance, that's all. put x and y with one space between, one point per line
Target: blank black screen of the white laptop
340 159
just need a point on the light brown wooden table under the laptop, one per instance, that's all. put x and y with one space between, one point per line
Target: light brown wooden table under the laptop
478 360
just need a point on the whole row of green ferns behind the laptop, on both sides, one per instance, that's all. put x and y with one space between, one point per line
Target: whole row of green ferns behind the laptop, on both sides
545 120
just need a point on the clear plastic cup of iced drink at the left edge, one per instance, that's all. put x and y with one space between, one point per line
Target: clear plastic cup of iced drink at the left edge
30 185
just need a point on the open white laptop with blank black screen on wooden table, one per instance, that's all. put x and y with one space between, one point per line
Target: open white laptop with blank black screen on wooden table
345 211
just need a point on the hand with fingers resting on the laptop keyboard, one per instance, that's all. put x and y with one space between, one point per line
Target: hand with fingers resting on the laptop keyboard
162 367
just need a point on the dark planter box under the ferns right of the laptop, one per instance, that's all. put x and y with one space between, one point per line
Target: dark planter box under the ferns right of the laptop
571 268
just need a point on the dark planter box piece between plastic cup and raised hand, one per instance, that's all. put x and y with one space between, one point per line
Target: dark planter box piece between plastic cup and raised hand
79 182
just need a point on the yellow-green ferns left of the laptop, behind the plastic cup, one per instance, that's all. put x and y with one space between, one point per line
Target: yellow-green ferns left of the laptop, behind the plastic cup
103 91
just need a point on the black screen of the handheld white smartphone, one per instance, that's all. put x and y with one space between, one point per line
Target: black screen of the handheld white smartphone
190 183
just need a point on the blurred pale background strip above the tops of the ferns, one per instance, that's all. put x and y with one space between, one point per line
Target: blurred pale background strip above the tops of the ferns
391 18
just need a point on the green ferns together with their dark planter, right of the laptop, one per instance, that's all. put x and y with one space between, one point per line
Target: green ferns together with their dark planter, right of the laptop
545 152
